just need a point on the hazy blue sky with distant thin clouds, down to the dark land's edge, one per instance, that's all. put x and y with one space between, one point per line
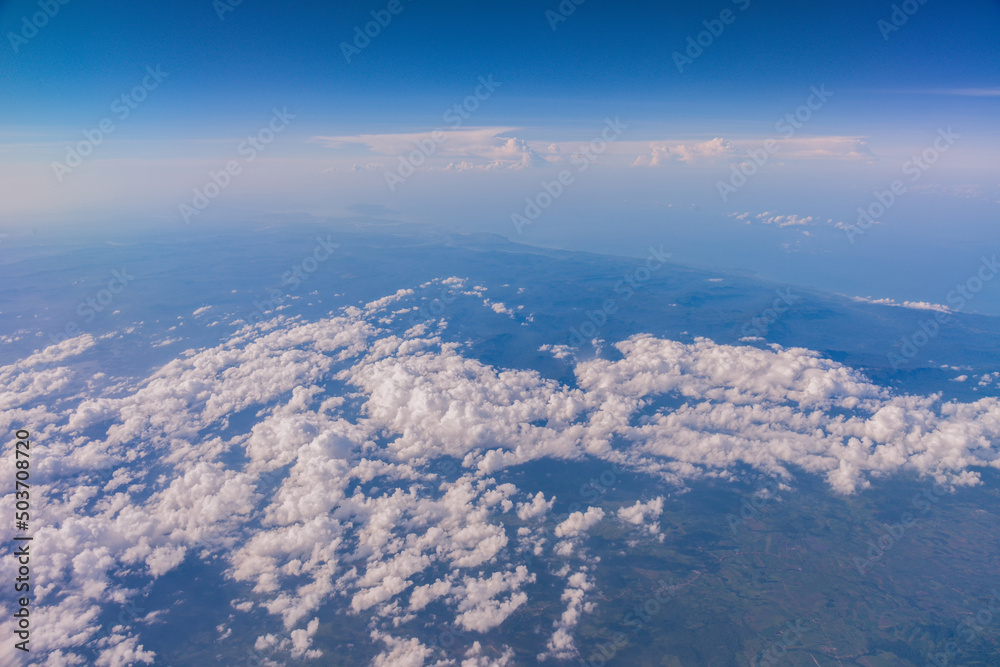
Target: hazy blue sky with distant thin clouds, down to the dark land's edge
692 91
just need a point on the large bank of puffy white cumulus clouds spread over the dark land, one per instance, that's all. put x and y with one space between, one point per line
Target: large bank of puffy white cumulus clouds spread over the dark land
359 419
